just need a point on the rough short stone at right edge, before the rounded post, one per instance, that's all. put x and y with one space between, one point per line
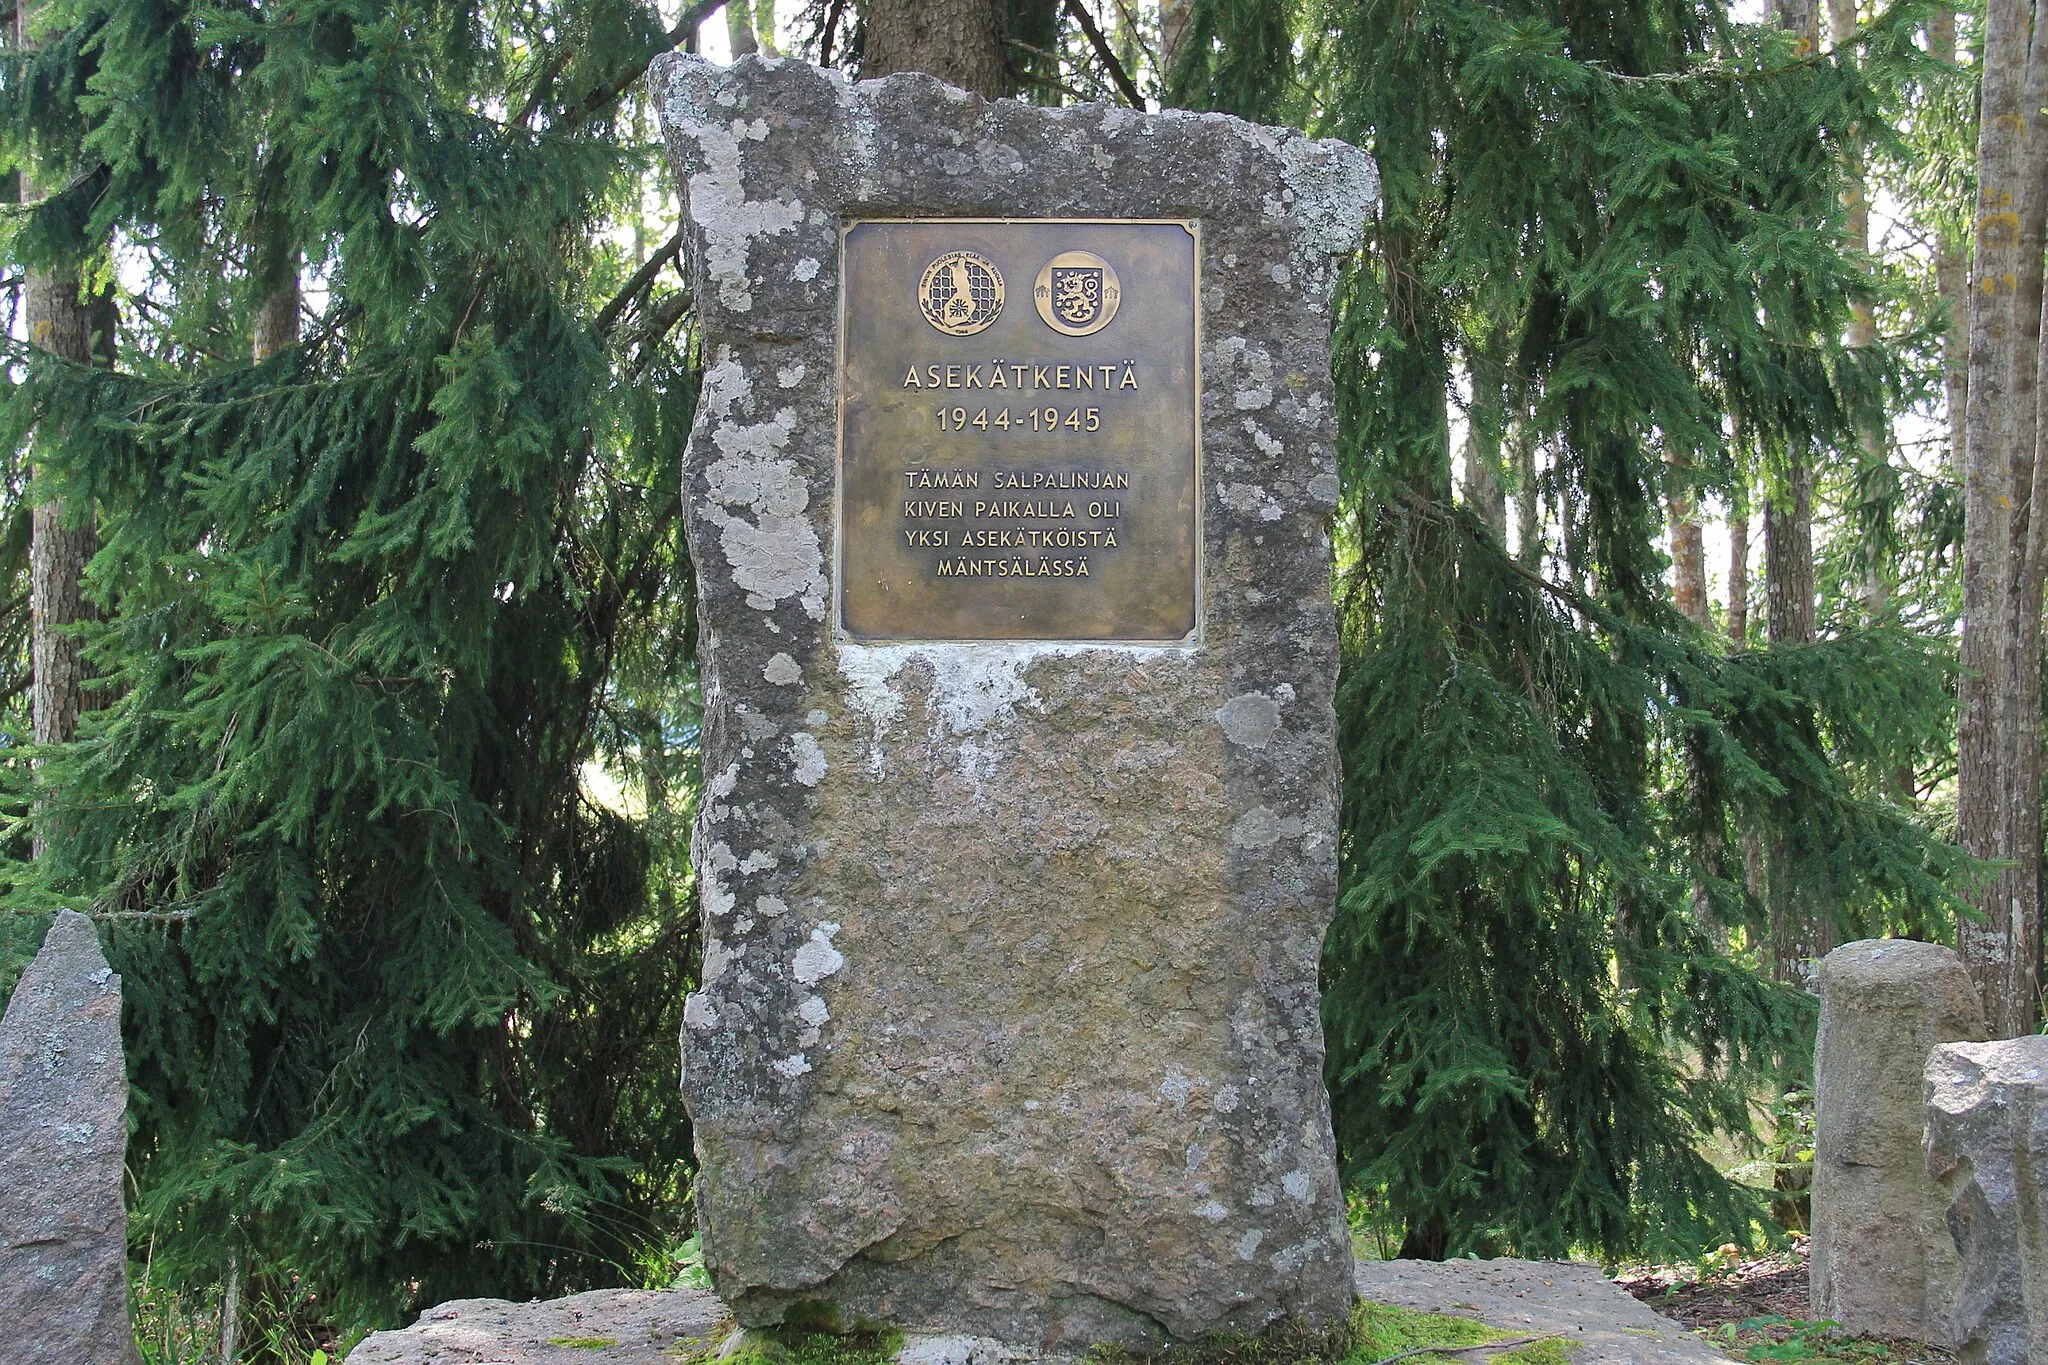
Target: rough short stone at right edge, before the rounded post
1988 1145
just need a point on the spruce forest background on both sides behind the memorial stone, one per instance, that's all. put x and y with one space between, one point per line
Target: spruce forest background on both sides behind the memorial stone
347 637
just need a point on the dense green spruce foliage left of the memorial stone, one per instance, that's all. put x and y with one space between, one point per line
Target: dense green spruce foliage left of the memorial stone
402 985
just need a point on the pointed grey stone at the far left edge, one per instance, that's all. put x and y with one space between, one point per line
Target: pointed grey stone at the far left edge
62 1143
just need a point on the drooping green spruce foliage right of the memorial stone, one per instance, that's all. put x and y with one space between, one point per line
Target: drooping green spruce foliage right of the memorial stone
1613 234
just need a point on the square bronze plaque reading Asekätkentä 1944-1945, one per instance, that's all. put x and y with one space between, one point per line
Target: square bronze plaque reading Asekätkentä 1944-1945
1019 431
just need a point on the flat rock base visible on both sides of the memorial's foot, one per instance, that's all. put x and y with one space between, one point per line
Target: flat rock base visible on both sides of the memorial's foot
642 1327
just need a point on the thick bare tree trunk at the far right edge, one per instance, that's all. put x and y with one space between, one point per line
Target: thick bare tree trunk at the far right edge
1998 725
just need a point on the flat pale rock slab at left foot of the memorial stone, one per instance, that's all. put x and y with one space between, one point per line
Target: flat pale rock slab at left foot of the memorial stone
605 1327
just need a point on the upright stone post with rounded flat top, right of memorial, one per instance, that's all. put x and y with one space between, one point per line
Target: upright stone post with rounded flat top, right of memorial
1883 1260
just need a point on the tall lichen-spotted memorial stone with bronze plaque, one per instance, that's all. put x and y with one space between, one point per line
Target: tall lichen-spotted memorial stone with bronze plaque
1011 509
